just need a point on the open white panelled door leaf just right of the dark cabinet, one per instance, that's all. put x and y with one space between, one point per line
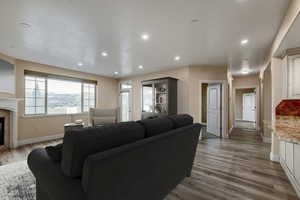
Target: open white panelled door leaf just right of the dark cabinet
214 109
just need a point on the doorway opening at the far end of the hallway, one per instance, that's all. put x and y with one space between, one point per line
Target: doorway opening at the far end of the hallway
245 108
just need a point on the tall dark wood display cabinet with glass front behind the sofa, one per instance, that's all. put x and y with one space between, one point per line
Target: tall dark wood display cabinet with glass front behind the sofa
159 97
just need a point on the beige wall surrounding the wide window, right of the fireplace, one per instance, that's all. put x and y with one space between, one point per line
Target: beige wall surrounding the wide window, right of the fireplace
35 127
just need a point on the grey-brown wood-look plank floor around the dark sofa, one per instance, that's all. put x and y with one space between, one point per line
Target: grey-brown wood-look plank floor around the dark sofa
236 168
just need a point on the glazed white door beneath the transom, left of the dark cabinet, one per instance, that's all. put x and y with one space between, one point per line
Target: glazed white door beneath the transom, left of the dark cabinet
125 107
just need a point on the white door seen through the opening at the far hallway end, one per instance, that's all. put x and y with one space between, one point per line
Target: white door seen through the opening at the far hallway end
249 107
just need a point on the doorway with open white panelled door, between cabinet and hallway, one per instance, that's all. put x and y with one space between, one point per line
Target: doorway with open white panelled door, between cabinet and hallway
212 109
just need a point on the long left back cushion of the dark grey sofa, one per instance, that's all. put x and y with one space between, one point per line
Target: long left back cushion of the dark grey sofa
80 143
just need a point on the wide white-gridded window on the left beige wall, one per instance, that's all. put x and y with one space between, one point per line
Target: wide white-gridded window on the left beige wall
47 94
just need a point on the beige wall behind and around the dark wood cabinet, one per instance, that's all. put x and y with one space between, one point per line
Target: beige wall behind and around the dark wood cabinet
189 88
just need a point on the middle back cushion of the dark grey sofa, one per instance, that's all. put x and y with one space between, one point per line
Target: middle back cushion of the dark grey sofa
156 126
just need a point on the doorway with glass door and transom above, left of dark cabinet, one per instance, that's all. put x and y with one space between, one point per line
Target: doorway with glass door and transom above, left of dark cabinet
125 101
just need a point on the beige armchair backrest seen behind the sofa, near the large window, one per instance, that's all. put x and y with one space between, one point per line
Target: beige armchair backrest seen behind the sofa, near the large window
98 116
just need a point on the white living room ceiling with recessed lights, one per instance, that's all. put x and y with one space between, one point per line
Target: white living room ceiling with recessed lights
65 32
